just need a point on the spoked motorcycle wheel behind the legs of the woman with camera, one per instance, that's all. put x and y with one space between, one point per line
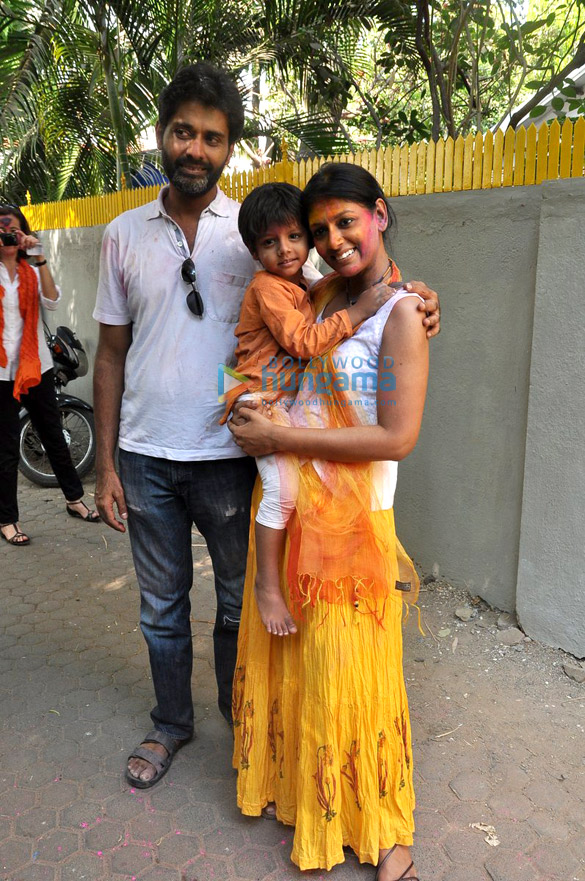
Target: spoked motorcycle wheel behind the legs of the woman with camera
79 432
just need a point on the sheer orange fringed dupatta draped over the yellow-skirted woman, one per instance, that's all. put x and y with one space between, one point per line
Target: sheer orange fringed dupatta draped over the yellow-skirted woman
342 548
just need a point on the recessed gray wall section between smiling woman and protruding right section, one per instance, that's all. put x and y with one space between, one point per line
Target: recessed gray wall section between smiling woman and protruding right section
460 492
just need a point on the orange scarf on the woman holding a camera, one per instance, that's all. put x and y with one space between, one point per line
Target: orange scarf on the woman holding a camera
28 372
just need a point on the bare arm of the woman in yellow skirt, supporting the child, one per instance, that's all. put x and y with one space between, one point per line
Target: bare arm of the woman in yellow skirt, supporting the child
400 410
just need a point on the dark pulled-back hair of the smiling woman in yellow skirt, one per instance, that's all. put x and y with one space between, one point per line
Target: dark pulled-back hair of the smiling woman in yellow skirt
343 180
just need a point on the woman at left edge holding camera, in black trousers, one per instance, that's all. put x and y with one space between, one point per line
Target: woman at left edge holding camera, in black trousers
26 372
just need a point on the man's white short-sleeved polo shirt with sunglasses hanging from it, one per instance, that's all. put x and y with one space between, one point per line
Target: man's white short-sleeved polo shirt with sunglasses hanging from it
170 405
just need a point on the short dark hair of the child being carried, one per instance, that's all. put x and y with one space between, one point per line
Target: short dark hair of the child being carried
274 203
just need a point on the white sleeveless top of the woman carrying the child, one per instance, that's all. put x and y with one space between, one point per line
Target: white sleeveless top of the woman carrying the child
356 365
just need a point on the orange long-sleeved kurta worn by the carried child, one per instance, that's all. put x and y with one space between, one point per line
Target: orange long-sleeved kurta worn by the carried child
277 334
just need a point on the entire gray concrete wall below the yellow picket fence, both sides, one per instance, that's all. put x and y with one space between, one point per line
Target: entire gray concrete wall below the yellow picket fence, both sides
472 496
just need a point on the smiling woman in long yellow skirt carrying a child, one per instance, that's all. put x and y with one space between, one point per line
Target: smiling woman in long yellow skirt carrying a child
321 718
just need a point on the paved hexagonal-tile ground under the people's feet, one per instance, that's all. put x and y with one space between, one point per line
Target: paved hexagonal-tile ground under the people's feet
499 736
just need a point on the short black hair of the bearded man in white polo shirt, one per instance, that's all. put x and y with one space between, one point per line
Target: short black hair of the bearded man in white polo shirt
209 86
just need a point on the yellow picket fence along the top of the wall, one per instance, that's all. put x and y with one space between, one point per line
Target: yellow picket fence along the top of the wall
477 162
